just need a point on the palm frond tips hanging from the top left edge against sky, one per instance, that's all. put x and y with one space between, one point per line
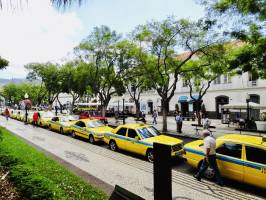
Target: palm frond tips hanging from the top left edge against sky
59 3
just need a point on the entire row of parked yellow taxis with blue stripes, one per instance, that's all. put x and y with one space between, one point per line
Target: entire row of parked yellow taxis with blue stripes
239 157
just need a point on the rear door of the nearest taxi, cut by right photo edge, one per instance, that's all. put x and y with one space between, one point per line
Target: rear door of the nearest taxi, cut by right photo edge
255 166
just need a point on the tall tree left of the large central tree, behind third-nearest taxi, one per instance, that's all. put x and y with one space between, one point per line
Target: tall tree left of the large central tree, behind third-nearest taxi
99 53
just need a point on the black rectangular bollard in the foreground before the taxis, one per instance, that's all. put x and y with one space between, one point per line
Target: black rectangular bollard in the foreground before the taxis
162 172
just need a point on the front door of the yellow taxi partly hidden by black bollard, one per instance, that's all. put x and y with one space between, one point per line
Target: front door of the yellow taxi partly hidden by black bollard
133 142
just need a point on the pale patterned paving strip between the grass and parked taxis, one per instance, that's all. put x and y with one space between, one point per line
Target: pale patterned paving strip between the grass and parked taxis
131 172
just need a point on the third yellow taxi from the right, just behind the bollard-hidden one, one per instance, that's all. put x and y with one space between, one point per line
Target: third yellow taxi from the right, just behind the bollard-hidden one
91 129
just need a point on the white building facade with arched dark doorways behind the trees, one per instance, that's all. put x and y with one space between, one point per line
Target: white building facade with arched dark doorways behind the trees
222 91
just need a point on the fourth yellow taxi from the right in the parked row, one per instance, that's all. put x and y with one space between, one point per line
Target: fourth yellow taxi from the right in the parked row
62 123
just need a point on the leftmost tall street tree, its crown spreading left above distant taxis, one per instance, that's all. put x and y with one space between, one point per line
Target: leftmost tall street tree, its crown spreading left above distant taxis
48 75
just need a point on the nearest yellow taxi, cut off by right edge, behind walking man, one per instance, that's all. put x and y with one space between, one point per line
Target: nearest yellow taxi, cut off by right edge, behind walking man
239 157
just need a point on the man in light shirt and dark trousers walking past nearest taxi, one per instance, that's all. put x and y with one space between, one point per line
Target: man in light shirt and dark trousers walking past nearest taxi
209 147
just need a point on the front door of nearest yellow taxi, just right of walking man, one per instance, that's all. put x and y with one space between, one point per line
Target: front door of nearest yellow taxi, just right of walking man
230 160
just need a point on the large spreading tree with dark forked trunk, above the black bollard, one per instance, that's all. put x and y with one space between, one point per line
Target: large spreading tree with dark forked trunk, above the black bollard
162 40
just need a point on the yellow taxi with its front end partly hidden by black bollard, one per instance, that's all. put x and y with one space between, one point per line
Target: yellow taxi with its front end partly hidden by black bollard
139 139
